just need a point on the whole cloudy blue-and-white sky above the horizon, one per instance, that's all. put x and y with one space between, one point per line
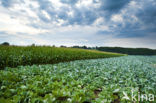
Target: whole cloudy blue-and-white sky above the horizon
121 23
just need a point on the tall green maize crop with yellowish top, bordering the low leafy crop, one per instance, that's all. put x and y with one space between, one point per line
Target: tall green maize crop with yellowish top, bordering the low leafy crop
12 56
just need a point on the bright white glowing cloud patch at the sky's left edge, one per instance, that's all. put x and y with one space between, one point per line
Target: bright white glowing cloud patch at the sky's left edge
14 25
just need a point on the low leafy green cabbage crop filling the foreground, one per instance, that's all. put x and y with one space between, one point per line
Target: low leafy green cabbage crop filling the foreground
127 79
